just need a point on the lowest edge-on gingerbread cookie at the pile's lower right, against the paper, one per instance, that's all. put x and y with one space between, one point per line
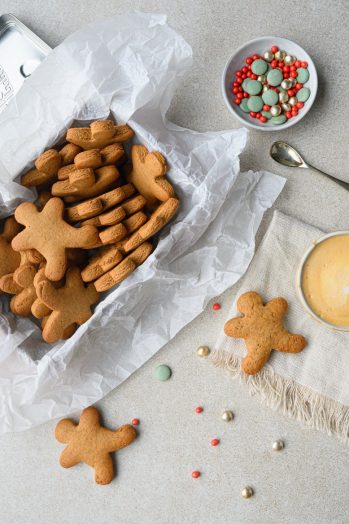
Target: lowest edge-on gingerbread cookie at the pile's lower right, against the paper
122 270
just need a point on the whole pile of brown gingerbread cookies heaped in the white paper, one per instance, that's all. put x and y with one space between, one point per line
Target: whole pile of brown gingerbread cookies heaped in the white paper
89 228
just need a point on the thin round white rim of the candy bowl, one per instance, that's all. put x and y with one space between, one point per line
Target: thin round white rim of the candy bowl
288 123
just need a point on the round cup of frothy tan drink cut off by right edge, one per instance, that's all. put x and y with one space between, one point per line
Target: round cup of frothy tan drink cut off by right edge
323 280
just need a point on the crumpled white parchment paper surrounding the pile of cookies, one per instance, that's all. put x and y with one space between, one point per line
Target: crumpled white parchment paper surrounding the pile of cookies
128 66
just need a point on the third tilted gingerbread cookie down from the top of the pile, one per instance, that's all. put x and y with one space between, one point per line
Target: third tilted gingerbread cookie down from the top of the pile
84 183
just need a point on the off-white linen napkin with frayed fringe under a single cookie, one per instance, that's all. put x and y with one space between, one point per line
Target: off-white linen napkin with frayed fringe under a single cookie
311 386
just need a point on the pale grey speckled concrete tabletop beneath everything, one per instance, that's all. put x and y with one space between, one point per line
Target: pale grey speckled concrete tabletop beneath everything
308 482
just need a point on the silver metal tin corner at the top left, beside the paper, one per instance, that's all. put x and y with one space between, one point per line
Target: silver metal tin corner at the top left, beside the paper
21 52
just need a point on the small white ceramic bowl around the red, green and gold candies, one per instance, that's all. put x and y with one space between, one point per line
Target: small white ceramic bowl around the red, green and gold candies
259 46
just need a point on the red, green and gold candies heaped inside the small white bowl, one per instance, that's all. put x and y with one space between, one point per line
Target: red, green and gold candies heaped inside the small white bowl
271 87
